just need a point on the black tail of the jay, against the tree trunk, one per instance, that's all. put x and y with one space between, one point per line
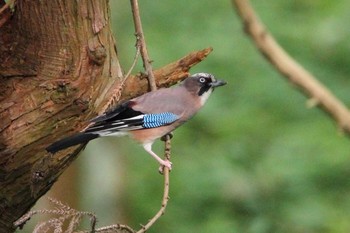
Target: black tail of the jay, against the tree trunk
71 141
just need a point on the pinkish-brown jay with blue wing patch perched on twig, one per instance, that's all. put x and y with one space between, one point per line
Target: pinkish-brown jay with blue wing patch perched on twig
149 116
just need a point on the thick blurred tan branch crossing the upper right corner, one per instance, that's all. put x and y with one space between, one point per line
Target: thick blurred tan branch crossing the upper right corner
288 67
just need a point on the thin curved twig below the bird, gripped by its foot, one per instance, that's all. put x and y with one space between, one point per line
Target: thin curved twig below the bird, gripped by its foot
165 198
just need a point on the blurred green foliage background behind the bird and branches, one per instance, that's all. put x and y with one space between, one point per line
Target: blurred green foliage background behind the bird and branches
255 159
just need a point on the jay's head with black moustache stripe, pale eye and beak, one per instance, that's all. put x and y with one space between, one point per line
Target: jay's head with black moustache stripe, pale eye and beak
202 85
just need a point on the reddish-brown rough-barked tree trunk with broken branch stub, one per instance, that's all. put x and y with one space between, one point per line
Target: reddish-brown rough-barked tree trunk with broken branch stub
58 68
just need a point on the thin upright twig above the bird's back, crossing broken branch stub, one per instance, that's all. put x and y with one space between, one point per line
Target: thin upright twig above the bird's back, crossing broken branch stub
144 53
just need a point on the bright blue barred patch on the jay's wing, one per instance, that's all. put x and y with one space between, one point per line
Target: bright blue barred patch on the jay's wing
159 119
